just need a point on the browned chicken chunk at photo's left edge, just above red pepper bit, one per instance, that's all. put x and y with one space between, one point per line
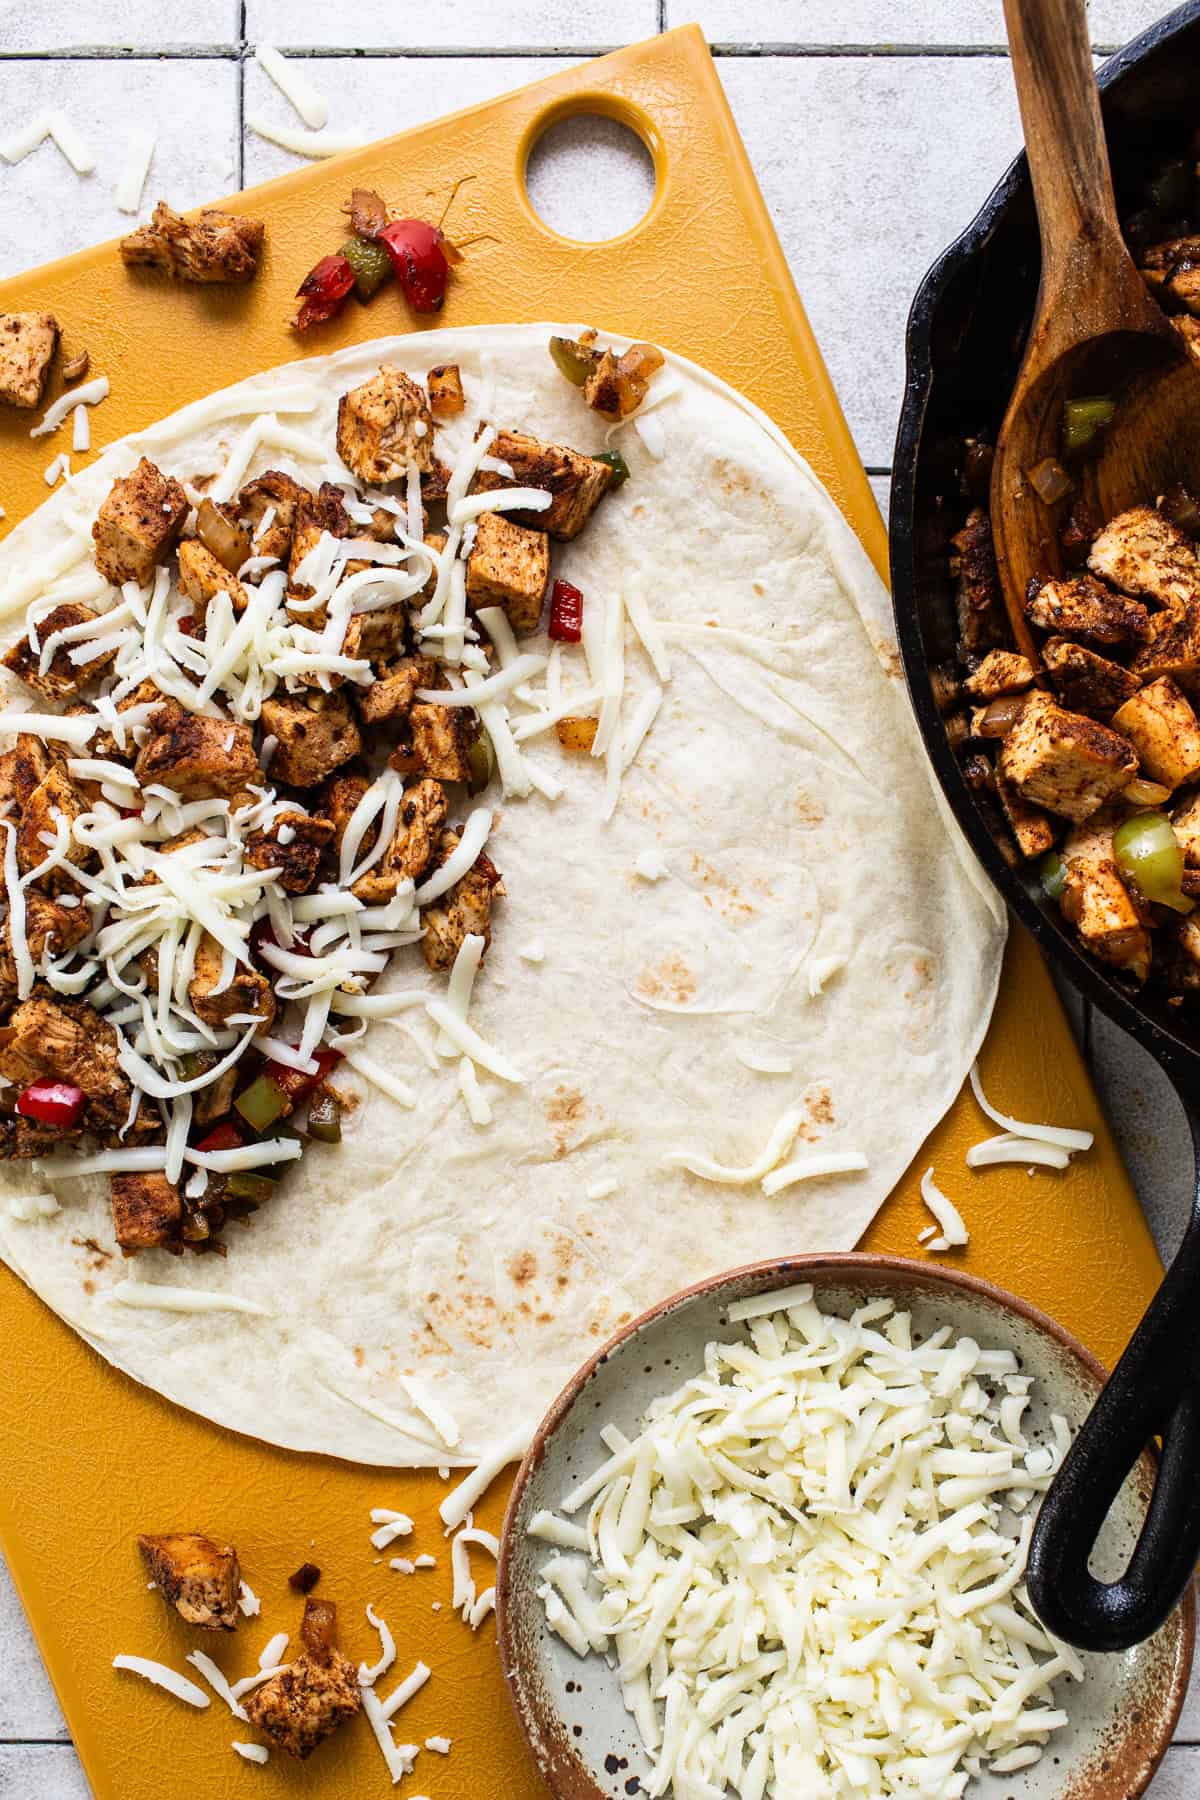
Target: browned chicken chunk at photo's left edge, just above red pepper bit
71 1043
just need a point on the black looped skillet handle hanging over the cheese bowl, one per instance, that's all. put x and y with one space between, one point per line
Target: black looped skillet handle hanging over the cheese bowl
1152 1392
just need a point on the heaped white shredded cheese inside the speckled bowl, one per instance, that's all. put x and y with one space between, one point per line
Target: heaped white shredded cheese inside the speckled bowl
807 1569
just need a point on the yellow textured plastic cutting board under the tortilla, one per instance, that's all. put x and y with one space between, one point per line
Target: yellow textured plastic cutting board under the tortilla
89 1459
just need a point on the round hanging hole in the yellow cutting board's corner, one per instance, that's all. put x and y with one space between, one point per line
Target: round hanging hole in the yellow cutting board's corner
591 177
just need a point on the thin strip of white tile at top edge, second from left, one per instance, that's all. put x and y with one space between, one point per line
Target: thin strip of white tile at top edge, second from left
451 24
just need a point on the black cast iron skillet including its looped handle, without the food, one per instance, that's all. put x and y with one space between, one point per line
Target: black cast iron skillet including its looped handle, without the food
965 339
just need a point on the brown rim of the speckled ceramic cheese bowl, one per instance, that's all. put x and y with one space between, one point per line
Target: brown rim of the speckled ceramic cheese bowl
785 1272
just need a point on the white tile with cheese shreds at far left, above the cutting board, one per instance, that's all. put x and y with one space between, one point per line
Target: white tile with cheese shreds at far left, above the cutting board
49 210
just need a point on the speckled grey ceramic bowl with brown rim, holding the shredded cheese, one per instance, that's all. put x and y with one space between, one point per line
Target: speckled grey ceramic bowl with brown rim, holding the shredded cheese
586 1743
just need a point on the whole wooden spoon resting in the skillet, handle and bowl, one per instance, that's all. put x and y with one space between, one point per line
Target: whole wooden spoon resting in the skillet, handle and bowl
1097 328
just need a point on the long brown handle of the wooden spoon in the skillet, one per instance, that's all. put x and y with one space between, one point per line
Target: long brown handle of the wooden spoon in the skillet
1064 136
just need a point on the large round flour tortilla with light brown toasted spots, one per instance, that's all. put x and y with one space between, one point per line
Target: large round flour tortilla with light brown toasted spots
787 791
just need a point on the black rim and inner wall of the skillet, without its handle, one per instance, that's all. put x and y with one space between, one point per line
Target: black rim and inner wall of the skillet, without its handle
967 334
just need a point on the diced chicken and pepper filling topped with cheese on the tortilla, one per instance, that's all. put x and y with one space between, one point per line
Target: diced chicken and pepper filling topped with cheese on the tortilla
251 796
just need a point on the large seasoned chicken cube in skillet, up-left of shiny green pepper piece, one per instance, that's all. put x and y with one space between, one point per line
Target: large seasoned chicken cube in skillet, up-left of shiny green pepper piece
1062 760
